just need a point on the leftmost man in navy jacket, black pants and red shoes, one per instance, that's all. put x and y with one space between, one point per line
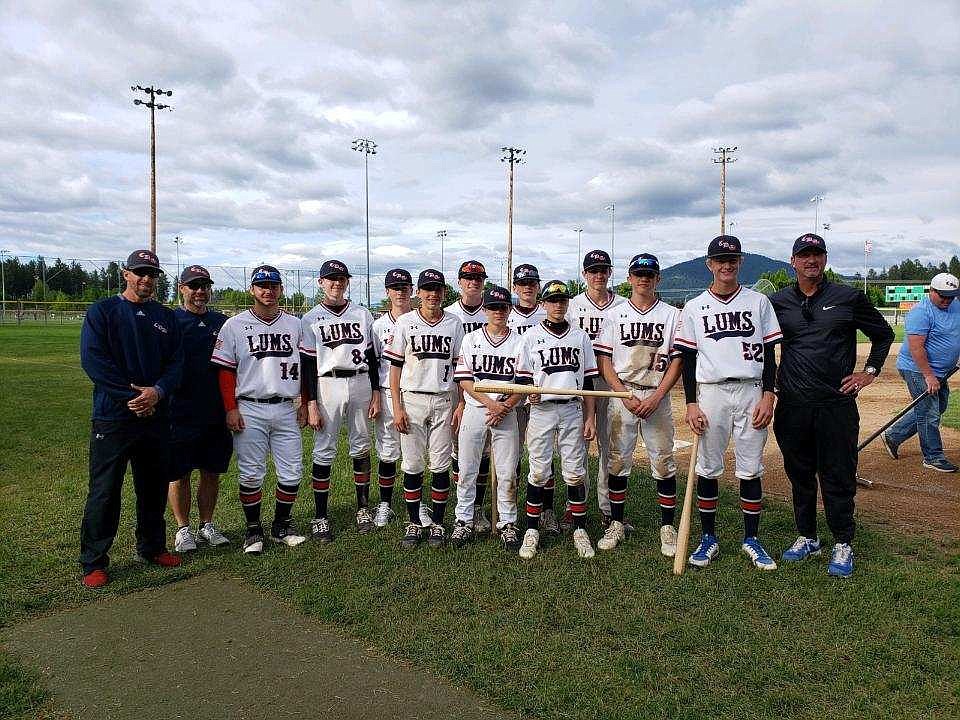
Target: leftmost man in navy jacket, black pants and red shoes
130 348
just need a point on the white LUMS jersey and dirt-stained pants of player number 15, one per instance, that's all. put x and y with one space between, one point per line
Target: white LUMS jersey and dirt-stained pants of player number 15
639 344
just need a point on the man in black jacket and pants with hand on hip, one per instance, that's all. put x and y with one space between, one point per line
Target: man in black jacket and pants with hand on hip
816 422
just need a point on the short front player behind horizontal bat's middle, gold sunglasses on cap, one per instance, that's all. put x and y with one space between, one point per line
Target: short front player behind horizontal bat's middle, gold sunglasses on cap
556 354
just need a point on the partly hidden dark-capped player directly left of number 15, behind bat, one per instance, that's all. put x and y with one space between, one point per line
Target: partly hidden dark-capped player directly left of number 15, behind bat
588 310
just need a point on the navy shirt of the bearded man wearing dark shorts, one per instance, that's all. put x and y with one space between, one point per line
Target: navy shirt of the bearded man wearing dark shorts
197 401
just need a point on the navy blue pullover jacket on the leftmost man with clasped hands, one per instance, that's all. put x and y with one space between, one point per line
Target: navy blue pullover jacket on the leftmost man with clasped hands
125 343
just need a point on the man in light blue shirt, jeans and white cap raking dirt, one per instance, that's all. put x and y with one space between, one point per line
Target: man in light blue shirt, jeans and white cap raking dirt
930 352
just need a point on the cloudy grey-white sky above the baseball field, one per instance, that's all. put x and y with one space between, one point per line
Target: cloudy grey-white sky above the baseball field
614 103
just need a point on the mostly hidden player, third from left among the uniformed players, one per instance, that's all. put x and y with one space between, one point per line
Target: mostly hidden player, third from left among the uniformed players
398 284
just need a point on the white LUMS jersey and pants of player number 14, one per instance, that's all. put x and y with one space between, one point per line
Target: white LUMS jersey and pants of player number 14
265 357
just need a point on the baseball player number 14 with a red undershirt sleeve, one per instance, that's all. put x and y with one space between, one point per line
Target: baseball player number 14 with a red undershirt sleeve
259 379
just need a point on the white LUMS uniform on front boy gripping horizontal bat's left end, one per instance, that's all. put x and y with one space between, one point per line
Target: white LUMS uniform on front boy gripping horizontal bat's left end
490 360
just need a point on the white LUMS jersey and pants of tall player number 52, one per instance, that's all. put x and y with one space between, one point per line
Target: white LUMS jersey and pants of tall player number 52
728 336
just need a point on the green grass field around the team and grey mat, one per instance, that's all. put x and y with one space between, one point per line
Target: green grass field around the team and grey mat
615 637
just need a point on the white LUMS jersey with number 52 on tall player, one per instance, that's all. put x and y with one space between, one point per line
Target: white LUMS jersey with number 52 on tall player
728 335
